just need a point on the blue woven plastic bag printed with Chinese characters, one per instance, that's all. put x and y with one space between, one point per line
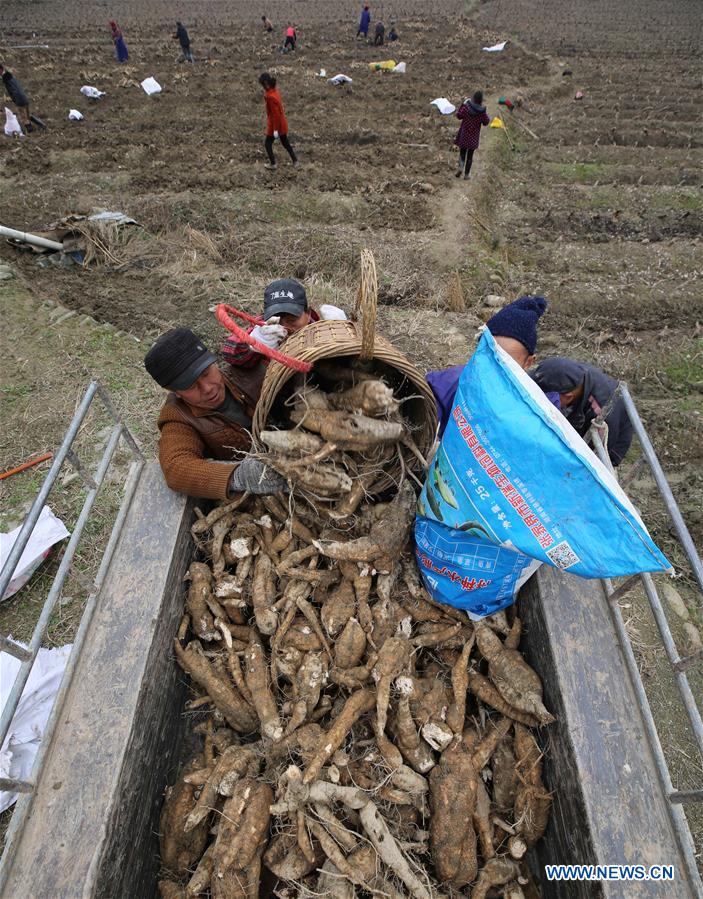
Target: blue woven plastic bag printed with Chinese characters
513 485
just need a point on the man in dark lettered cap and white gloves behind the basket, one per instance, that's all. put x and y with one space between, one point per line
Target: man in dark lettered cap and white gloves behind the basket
286 311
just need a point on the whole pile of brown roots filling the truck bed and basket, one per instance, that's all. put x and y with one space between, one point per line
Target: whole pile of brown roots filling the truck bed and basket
359 739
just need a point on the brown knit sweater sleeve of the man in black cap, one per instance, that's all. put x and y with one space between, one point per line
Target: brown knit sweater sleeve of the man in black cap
184 463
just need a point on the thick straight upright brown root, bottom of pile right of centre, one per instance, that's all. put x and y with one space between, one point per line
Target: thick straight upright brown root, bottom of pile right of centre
453 784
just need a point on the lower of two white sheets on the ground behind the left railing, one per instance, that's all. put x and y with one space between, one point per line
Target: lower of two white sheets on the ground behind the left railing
29 721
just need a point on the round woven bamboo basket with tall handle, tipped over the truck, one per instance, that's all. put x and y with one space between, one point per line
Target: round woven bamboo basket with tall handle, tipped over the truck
354 344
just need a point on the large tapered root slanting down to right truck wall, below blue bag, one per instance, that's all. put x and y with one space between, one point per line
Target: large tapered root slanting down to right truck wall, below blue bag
516 682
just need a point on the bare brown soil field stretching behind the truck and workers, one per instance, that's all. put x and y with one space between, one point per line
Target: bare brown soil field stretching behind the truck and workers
594 203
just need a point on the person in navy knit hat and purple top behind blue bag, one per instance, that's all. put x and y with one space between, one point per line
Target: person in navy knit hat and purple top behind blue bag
514 328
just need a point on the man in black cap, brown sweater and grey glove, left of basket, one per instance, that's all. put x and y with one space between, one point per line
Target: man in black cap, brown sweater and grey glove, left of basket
205 423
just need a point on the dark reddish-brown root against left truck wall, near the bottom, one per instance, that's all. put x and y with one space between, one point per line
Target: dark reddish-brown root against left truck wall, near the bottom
180 849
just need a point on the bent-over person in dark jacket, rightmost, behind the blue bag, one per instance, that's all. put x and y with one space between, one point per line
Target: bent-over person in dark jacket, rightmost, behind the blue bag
584 392
